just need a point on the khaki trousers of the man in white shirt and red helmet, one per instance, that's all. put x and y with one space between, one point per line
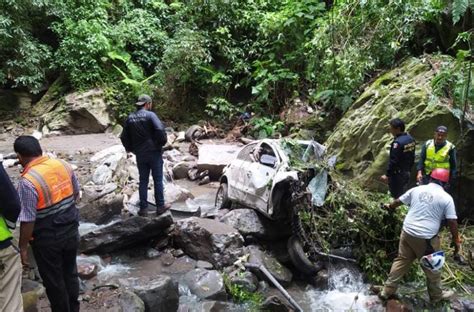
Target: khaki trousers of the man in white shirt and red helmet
410 249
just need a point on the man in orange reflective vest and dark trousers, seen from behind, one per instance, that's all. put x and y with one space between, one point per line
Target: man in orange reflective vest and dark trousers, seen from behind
48 189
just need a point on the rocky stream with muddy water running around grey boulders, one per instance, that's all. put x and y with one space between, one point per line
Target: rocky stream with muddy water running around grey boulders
183 260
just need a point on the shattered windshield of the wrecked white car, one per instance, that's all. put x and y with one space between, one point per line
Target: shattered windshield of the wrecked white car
302 154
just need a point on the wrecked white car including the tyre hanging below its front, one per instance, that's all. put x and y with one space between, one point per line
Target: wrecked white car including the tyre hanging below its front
284 180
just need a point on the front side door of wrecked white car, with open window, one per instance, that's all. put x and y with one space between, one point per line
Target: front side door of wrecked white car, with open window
259 177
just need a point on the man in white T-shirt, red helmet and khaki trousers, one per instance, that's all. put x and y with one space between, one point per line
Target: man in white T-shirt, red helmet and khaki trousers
429 206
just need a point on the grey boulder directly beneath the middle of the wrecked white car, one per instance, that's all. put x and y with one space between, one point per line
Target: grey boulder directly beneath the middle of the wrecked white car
250 223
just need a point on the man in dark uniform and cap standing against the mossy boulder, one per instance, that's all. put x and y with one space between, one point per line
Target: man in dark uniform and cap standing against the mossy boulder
402 158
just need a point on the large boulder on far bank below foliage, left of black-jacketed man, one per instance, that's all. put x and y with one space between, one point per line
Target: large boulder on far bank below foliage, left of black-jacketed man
80 112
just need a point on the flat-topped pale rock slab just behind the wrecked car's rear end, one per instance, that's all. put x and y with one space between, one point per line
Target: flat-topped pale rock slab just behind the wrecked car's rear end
215 157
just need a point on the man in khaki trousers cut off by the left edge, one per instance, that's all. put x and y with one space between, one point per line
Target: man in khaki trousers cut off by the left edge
10 266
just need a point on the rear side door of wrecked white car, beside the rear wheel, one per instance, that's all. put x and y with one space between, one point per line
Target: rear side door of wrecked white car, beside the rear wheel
237 177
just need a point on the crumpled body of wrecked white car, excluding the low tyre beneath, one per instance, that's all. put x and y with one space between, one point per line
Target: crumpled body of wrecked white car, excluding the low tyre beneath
261 174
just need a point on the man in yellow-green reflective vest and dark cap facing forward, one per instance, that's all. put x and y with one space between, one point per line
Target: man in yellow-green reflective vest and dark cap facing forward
437 153
